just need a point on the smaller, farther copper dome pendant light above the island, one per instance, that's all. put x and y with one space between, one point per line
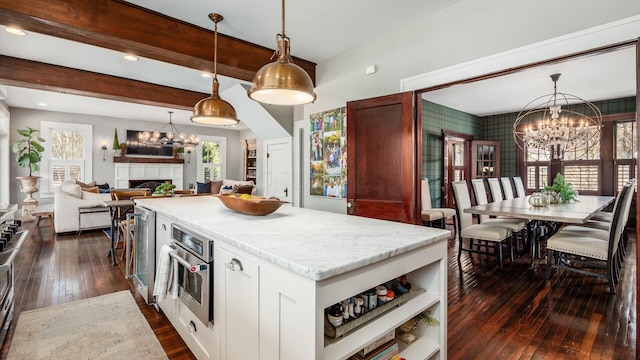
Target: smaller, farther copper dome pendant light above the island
213 110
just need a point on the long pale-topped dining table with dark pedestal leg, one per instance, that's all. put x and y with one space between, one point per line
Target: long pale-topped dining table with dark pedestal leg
550 216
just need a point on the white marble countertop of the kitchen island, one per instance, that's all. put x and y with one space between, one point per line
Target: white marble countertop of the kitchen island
315 244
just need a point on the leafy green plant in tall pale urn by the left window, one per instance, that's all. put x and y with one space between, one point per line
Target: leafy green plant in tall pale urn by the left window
29 154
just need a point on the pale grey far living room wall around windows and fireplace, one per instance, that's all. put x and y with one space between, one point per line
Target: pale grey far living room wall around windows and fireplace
103 128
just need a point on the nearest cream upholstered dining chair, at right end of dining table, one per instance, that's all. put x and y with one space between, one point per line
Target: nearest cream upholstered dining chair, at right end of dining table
580 252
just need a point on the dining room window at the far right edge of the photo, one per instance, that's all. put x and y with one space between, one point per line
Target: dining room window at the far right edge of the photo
626 152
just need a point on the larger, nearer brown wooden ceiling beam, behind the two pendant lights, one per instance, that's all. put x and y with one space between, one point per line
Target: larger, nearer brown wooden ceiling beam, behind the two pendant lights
130 29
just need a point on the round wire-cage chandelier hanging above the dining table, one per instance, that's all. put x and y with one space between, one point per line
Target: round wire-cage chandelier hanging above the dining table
557 131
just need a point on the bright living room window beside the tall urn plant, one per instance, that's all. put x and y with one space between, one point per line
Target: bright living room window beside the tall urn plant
67 154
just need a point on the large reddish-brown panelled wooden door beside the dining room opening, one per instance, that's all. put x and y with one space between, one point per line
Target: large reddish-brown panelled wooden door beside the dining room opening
381 143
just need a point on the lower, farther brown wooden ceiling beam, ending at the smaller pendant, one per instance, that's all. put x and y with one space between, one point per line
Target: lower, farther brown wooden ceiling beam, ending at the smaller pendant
41 76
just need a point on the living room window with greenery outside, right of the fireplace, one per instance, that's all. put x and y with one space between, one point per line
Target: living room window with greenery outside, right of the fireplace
211 157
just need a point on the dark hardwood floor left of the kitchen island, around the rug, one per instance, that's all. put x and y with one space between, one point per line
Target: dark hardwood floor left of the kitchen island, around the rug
57 269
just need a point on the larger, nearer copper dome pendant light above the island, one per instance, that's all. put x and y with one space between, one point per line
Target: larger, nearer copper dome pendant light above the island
282 82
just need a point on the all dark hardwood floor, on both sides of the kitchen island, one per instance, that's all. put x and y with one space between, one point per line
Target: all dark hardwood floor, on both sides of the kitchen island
509 314
